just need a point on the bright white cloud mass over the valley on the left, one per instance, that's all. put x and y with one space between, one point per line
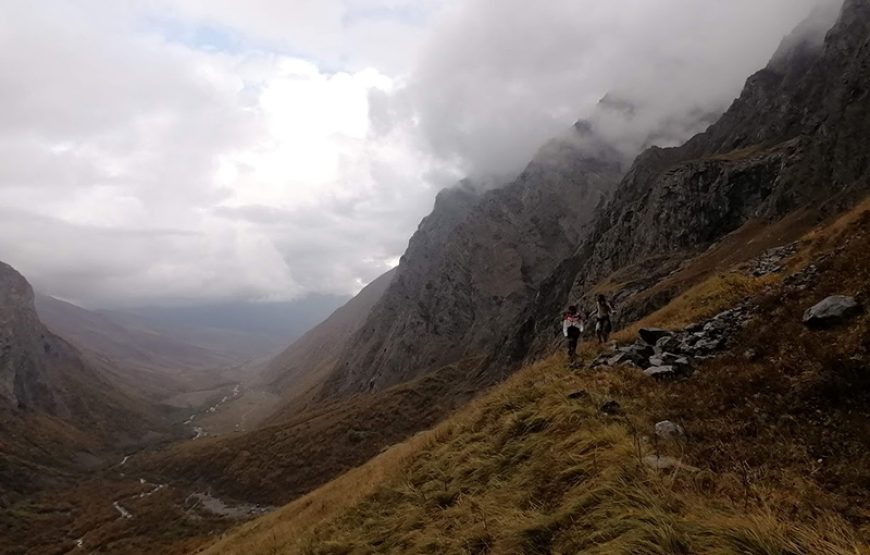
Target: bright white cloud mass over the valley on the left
110 137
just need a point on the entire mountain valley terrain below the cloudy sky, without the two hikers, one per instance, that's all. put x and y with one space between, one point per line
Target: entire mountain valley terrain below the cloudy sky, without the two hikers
436 411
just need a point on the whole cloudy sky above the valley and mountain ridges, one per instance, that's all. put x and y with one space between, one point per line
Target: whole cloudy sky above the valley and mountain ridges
189 151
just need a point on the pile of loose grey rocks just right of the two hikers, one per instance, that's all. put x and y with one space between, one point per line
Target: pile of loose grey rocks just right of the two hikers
662 353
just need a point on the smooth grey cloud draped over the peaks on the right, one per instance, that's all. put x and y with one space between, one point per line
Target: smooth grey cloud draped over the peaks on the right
499 77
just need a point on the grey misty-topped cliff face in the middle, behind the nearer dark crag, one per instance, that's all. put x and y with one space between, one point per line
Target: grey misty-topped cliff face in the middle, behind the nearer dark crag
476 262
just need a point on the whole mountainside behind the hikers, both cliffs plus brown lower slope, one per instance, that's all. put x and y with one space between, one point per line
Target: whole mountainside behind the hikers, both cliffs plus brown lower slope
678 218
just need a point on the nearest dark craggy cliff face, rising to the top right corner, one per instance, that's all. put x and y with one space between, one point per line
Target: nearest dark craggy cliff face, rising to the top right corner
796 137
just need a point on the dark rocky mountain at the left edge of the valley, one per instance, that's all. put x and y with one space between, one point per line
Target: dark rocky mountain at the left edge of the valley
57 409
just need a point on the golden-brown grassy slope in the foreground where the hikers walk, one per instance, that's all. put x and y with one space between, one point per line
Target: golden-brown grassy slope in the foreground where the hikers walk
782 443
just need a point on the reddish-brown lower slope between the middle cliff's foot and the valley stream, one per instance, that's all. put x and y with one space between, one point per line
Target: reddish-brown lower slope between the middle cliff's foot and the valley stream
278 463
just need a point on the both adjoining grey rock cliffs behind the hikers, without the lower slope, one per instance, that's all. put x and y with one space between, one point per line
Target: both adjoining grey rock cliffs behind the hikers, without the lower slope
490 282
